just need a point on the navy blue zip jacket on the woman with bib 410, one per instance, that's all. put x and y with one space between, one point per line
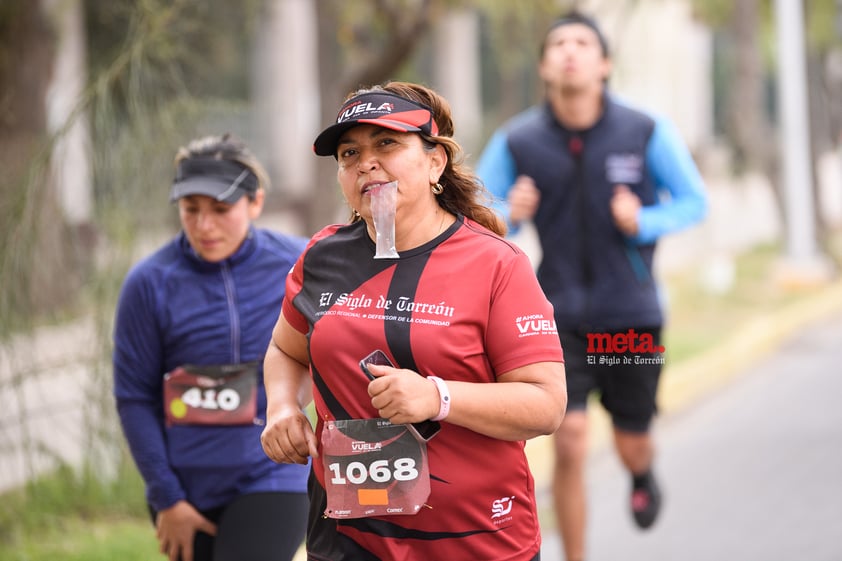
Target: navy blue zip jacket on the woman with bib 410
175 309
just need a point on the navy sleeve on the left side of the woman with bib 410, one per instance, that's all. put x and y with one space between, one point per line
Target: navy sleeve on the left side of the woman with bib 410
138 376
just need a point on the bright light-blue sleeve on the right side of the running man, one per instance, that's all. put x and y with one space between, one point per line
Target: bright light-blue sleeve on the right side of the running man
683 200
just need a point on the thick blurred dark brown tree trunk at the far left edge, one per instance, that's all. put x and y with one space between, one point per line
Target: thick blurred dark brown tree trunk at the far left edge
38 264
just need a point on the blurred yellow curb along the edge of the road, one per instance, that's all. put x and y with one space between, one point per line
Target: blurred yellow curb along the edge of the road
688 382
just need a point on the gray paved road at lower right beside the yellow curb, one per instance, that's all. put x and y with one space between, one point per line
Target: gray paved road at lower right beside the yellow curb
751 473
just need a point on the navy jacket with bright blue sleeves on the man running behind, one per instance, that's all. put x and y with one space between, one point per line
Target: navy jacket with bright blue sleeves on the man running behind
595 277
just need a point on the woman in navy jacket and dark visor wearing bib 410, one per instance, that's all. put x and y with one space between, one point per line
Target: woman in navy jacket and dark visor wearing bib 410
192 325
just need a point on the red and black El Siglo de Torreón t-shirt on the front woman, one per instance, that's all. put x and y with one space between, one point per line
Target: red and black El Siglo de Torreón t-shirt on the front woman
465 306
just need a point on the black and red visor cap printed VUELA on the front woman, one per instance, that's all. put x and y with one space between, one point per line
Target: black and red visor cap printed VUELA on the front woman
379 108
